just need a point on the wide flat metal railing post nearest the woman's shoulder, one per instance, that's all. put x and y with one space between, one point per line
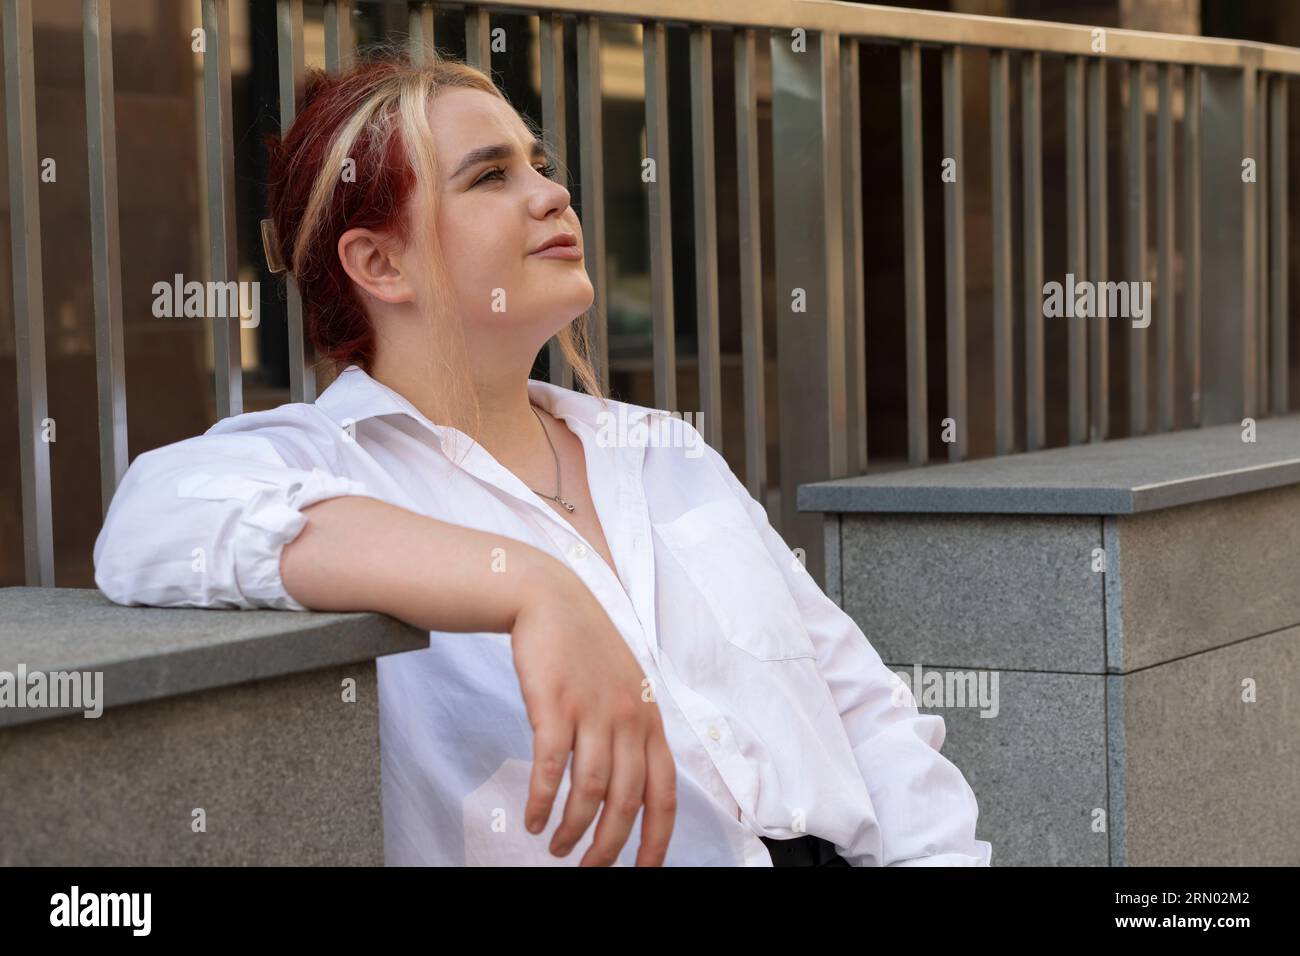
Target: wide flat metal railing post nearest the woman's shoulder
809 237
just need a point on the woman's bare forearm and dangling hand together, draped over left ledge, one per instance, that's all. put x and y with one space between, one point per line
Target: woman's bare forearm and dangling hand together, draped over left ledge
582 685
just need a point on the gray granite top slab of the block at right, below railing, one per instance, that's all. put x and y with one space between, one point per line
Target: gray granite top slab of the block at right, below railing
1112 478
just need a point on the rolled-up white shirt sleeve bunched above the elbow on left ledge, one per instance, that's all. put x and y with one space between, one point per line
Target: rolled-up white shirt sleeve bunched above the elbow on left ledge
203 522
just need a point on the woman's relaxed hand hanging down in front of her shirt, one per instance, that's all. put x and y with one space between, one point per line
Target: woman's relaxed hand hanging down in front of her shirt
586 693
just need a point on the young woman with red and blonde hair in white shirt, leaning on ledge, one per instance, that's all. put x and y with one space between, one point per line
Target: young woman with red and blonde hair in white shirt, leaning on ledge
618 637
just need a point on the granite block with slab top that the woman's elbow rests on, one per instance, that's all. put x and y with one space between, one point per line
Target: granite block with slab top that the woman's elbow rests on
226 737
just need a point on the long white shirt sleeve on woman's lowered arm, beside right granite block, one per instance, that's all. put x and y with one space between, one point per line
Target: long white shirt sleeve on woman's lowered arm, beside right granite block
924 804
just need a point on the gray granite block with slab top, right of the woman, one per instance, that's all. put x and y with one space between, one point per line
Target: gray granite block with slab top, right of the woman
1138 603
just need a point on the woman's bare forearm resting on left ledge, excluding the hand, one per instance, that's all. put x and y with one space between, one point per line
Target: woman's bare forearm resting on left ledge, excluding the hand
359 553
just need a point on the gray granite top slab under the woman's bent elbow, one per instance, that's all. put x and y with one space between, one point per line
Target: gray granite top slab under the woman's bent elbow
146 654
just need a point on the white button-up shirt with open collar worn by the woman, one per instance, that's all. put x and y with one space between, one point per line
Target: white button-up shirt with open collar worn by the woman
781 716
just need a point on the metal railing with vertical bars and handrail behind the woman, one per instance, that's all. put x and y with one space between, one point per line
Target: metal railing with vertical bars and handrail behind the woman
1234 253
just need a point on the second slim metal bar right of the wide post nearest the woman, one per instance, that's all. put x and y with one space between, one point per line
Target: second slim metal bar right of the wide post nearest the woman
915 253
